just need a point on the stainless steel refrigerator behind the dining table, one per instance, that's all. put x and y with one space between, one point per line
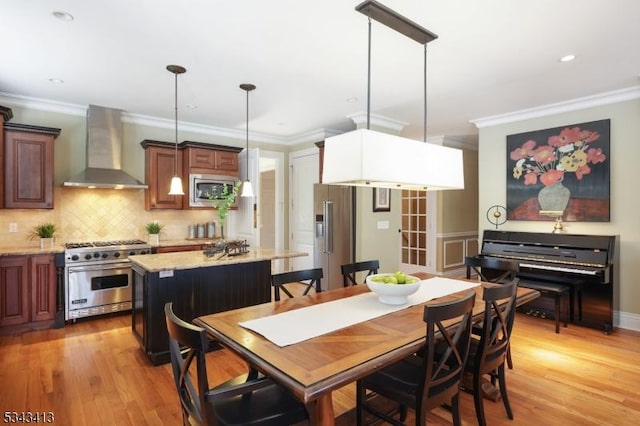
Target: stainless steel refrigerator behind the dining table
334 231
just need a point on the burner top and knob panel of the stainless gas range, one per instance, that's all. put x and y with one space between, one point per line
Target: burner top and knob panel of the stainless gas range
104 251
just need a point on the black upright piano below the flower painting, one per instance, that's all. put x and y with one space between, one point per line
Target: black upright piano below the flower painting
585 262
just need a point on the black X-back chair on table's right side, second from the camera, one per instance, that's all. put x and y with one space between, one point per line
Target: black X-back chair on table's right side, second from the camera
488 353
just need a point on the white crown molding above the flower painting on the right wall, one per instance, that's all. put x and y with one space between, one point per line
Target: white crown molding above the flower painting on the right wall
607 98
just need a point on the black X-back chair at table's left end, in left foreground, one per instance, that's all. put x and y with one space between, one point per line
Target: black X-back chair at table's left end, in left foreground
248 399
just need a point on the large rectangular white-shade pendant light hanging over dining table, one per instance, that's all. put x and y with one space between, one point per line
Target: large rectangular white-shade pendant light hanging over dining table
383 160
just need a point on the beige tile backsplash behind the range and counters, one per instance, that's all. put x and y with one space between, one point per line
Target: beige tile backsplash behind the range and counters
82 214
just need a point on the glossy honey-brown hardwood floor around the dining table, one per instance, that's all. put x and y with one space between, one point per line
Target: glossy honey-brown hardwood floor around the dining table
94 373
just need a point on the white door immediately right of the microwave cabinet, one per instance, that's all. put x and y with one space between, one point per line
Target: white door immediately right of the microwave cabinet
247 216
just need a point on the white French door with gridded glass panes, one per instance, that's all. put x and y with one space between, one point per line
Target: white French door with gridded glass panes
417 232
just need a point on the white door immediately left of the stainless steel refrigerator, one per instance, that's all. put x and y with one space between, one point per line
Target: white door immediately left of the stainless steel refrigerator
303 173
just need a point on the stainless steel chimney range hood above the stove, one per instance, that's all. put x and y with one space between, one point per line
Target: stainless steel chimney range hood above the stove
104 153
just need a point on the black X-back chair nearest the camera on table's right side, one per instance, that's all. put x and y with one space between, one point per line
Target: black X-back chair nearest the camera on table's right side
429 380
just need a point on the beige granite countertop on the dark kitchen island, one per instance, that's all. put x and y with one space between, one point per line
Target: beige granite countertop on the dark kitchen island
196 259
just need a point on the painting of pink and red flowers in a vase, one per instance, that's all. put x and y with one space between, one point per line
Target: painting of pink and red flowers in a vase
561 172
